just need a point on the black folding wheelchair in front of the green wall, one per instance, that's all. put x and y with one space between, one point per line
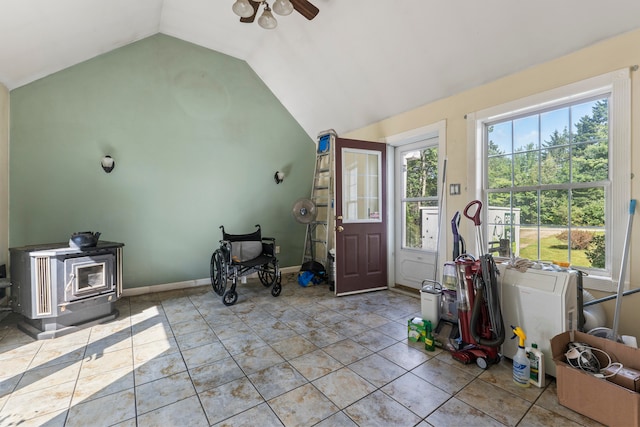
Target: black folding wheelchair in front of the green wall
240 255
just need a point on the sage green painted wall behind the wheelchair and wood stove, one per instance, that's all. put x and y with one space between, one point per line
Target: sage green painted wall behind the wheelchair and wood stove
196 137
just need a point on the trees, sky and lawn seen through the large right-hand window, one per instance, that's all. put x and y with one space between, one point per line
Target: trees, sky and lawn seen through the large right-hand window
553 166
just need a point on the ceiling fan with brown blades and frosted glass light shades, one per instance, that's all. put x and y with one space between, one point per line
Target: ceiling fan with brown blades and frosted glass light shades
248 9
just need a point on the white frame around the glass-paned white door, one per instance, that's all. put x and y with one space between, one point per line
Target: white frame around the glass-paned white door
439 130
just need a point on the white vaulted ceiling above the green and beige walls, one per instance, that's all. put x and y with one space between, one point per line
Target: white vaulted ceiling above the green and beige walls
357 62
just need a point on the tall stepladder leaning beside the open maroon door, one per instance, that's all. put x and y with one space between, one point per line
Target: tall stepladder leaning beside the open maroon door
319 237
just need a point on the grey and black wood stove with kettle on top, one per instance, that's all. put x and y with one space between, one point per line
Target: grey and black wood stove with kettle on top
59 289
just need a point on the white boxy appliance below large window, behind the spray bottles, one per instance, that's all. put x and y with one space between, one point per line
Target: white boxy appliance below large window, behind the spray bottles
543 303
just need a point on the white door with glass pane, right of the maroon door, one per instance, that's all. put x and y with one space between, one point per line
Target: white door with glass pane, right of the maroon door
417 181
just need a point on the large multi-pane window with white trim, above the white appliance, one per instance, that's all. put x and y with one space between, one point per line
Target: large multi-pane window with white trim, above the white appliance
547 173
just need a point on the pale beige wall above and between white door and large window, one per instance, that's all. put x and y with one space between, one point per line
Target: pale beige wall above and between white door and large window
613 54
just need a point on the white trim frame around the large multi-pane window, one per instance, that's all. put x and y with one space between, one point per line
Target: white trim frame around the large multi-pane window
618 84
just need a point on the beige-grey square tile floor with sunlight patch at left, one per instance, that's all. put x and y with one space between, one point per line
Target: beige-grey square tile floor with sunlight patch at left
182 358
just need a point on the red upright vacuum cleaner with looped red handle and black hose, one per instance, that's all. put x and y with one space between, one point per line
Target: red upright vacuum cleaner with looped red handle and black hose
479 315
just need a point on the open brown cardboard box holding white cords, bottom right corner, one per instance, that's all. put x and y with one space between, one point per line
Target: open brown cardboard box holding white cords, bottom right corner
593 397
